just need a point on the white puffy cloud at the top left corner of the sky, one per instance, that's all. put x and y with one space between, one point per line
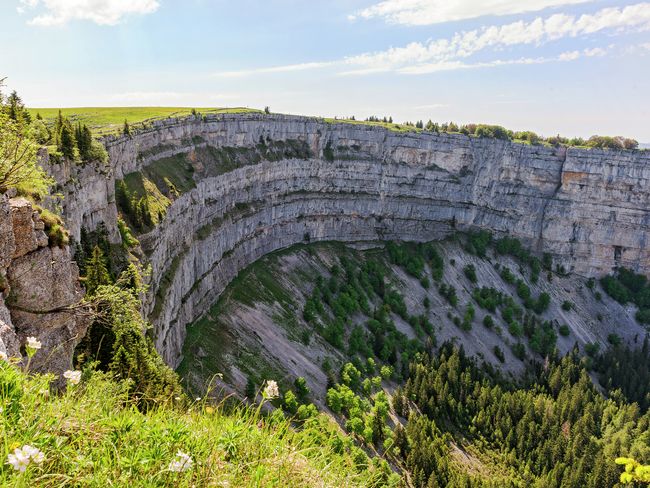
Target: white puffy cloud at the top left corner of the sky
102 12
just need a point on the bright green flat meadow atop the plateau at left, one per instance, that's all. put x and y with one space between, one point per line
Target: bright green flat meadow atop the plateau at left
110 120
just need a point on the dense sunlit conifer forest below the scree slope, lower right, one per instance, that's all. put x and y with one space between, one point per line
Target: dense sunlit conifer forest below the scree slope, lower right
557 431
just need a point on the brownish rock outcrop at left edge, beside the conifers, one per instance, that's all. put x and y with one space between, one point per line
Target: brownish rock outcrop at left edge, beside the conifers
39 287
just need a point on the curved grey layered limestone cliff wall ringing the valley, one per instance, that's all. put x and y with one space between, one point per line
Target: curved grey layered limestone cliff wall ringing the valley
356 183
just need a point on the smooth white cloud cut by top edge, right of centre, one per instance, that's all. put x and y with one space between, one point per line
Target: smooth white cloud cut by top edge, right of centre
427 12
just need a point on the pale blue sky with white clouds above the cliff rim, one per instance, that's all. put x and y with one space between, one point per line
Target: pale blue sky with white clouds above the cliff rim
573 67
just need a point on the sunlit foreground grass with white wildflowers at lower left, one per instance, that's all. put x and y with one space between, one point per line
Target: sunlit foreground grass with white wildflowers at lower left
92 435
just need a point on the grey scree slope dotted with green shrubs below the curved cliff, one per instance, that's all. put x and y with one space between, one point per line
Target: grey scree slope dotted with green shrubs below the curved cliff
262 326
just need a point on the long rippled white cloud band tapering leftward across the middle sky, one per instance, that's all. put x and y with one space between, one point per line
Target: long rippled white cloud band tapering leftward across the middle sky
451 53
